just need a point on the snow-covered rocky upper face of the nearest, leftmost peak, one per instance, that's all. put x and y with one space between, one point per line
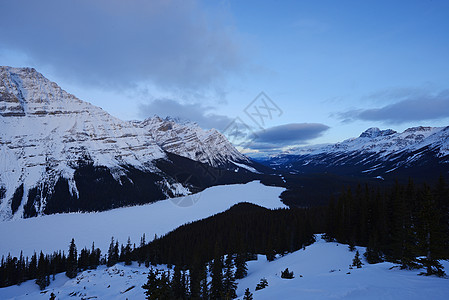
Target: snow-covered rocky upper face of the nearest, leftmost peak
46 132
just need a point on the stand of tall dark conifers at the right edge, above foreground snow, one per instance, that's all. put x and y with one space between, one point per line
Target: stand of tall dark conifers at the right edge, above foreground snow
406 224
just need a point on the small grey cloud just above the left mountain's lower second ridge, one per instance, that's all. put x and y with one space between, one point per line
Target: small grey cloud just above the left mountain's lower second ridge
195 112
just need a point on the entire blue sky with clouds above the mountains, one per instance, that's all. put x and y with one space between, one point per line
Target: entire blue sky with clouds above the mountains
268 74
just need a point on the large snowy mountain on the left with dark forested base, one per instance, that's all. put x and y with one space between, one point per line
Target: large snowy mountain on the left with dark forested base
59 153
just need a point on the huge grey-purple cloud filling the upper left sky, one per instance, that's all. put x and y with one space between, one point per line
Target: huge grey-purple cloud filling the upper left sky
113 43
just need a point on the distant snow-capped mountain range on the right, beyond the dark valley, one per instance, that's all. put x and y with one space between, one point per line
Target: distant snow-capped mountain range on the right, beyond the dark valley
418 152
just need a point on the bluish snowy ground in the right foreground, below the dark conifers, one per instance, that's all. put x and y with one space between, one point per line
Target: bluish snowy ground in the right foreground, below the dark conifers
324 267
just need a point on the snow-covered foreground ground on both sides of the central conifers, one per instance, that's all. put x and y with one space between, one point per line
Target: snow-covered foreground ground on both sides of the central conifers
323 266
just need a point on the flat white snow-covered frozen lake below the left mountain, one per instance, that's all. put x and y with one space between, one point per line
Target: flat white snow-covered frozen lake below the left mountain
54 232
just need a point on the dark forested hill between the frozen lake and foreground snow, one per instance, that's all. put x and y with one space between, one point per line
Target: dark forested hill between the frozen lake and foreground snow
244 228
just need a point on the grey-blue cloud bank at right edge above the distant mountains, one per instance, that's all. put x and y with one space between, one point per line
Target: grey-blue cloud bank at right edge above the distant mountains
420 107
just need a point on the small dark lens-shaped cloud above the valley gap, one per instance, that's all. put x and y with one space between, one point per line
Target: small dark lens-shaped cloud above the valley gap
287 135
